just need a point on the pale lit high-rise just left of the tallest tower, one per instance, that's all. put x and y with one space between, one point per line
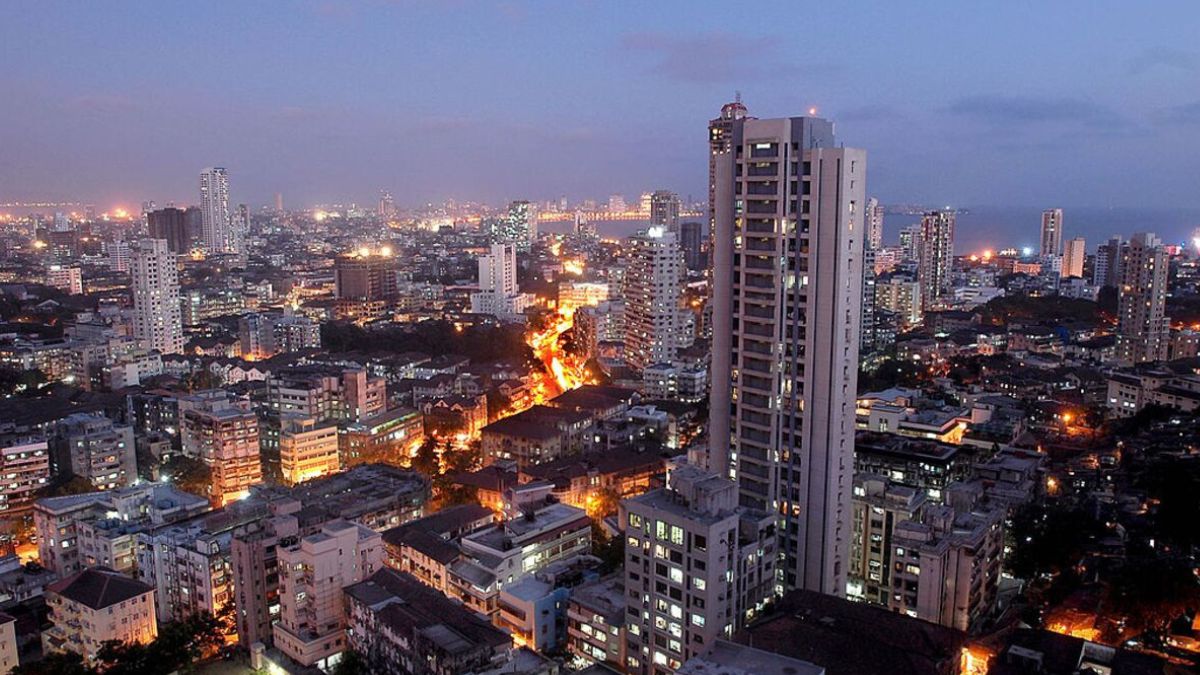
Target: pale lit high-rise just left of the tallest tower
653 294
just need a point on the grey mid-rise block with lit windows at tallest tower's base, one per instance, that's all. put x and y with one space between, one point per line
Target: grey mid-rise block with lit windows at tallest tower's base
698 569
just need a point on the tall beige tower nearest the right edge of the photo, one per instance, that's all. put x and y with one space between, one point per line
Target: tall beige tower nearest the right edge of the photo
1143 328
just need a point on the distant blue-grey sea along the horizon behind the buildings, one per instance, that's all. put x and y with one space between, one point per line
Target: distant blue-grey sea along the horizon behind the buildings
1000 228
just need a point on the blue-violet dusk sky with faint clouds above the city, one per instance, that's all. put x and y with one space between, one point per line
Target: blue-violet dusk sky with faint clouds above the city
1027 104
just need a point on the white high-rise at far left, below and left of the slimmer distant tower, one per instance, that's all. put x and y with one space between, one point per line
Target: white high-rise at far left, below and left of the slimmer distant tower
158 315
